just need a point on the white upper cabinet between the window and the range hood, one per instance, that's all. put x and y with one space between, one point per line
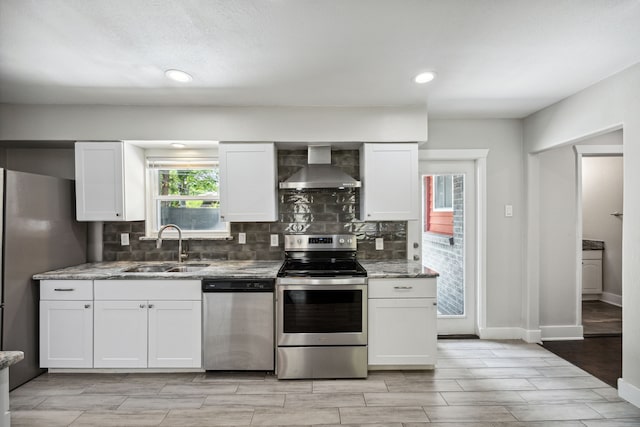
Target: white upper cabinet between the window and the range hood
248 182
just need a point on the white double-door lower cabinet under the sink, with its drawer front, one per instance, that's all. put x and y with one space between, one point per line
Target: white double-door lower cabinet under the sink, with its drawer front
163 332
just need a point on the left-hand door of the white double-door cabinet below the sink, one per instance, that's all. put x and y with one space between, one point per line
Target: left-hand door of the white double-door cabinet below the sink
120 334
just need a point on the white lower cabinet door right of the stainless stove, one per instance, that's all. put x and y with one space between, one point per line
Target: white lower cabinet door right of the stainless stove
402 331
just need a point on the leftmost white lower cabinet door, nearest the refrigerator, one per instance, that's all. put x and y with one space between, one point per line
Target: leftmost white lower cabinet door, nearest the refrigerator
66 334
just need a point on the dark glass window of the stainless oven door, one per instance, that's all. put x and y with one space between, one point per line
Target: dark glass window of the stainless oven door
322 311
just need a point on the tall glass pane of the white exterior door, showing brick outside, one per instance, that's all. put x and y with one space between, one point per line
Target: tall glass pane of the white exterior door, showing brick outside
443 242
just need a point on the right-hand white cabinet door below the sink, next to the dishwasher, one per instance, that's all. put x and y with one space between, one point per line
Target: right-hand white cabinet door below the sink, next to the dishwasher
174 334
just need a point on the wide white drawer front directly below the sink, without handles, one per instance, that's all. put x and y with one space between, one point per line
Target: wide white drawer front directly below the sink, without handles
148 290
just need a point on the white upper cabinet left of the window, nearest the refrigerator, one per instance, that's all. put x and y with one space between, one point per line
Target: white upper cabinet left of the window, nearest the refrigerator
109 181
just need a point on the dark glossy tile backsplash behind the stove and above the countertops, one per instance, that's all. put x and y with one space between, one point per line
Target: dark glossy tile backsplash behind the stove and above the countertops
307 211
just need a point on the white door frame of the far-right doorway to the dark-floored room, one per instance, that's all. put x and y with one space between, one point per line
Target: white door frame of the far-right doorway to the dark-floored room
585 151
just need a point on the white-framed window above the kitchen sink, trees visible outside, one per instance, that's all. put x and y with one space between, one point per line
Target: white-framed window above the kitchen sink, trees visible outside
184 192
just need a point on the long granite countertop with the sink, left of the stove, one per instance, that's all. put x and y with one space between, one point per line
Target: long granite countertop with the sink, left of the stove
115 270
